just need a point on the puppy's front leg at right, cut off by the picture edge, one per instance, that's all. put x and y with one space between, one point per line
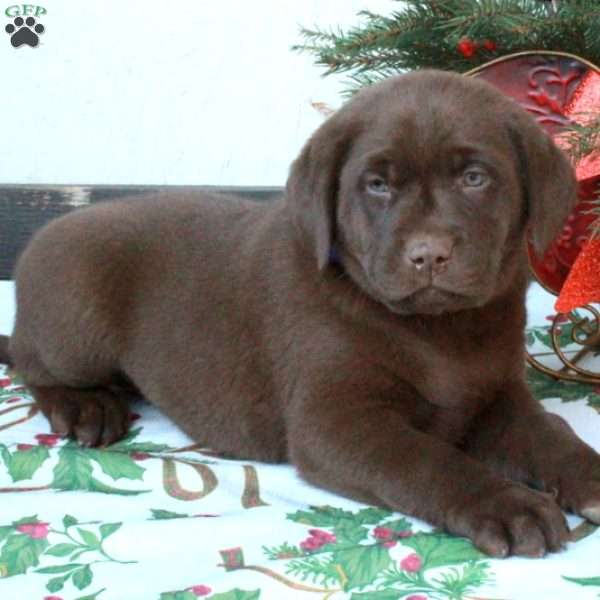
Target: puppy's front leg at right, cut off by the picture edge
519 439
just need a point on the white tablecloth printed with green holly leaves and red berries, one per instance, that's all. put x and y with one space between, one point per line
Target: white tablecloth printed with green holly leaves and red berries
156 517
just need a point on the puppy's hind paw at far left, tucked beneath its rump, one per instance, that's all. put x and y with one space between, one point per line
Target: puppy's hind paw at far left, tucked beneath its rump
95 417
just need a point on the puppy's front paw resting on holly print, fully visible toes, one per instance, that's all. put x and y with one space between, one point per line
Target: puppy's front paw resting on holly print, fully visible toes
513 520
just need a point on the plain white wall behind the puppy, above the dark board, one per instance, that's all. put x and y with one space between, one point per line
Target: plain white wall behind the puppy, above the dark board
165 91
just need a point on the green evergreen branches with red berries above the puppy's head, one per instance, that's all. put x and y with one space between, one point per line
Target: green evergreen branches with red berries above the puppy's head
456 35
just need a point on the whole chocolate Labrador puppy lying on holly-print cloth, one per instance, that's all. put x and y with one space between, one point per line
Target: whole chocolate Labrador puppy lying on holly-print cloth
368 328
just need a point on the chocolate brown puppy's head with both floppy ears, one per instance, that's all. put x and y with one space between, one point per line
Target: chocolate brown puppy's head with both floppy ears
426 185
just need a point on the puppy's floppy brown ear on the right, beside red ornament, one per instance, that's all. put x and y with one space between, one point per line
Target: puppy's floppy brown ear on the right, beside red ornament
548 180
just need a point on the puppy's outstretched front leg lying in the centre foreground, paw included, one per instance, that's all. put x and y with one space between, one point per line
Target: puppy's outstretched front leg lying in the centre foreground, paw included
351 441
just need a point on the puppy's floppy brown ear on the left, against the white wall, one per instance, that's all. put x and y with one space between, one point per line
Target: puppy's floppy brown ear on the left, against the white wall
312 186
